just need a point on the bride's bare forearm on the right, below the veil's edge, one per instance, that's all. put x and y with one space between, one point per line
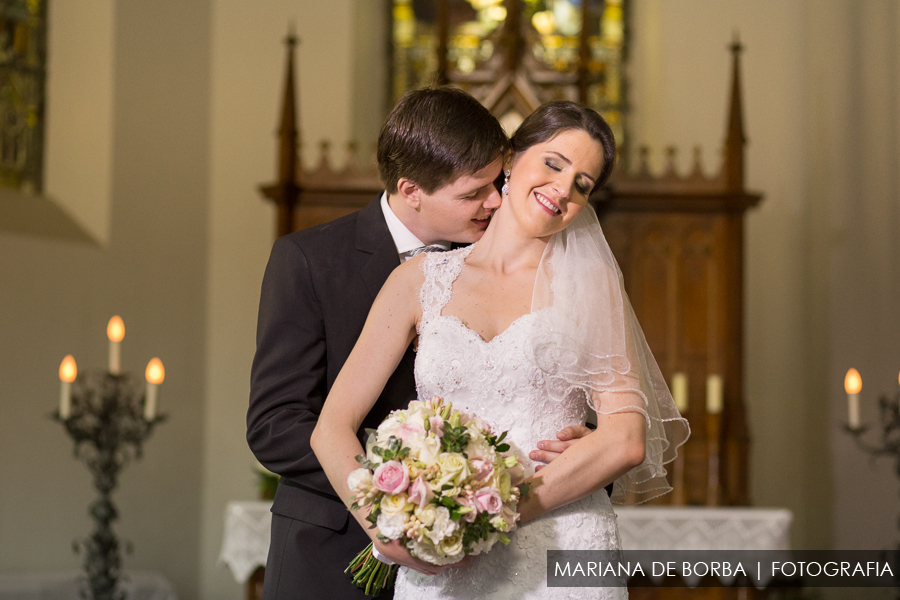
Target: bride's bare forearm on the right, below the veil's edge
589 464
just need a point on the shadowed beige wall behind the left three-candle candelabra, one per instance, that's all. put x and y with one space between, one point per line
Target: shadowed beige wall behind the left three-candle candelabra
56 298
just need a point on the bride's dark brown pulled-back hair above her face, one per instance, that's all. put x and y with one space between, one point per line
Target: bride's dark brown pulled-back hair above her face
552 118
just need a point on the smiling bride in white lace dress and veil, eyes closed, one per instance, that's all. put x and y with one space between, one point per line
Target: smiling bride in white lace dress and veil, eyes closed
529 329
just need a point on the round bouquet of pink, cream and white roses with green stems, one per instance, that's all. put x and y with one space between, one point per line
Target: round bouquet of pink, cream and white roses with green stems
436 479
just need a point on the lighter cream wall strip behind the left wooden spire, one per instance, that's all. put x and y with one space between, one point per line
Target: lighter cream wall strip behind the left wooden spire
247 79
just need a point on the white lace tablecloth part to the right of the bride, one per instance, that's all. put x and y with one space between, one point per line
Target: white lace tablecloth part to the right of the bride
704 528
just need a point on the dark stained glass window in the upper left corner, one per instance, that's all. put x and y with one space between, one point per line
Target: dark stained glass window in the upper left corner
22 74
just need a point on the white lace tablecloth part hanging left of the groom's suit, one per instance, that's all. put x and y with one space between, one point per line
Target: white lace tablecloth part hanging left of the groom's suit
245 543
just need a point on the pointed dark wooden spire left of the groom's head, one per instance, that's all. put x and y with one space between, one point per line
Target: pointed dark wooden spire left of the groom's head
286 190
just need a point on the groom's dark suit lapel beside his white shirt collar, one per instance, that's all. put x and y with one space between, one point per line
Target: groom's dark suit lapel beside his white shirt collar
374 239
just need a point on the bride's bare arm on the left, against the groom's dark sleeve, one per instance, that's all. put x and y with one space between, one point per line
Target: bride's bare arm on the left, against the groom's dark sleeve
389 329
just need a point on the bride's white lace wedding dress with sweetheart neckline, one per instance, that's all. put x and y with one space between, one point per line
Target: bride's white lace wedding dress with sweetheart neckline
497 381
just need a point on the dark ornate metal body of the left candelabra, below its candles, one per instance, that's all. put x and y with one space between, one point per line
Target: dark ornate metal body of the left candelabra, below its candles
105 415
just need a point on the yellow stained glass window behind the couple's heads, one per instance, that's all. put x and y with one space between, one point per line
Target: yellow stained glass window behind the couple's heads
565 48
